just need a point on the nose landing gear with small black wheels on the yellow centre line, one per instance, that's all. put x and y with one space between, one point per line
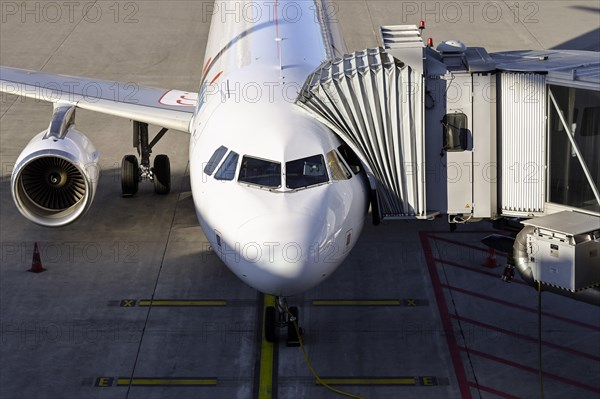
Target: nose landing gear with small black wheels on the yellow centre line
281 316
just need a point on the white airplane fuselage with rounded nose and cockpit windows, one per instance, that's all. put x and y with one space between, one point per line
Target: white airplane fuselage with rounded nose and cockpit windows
279 206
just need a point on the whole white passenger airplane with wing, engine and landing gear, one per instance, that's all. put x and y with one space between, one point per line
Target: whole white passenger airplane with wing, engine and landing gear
281 199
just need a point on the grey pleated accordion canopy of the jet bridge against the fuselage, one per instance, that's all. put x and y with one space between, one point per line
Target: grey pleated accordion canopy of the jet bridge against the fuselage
368 99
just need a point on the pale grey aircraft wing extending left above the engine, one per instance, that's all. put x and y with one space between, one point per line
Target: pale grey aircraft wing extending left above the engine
172 109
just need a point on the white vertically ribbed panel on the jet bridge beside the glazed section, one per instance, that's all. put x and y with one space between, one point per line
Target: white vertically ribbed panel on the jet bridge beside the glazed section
522 140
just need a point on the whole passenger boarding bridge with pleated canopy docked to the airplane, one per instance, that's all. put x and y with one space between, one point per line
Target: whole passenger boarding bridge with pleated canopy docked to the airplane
458 131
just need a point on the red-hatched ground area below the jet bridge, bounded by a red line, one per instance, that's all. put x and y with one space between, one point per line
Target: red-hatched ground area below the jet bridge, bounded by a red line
483 370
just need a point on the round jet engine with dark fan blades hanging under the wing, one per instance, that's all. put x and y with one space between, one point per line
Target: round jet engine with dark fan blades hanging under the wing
55 178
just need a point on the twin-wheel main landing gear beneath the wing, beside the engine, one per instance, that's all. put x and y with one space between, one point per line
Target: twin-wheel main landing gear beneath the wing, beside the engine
132 171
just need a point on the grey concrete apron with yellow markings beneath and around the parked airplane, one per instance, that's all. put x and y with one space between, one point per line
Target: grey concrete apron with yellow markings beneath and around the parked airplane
134 304
